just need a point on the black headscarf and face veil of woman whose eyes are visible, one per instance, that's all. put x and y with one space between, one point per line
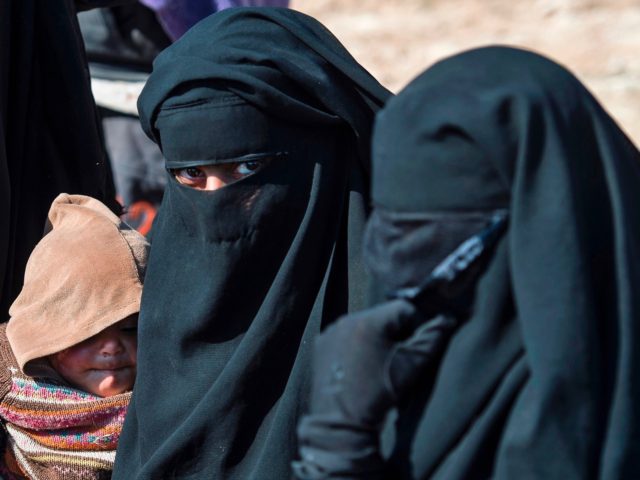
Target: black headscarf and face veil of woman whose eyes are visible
241 279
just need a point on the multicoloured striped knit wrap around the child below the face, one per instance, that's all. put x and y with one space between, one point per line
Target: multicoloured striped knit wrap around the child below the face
56 432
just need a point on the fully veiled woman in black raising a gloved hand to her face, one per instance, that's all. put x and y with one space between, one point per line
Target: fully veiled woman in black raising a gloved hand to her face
506 227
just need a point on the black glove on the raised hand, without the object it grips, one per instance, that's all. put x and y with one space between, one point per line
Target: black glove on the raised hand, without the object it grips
363 364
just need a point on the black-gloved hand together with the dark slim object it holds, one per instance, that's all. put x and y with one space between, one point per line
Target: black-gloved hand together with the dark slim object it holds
367 361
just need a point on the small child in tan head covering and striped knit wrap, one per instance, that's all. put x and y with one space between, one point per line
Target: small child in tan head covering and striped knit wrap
68 353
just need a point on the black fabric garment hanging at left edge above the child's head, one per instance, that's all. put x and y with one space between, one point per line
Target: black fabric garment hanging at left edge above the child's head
49 134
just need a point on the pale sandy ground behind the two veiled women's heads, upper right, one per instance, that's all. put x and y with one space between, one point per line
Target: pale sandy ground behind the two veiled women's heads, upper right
599 40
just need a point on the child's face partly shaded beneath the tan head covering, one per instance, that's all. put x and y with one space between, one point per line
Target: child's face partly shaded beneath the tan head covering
104 364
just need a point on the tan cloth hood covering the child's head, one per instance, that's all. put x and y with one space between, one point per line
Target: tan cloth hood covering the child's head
83 276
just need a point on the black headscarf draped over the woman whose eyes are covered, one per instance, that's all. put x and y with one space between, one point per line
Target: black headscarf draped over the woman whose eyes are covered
541 380
